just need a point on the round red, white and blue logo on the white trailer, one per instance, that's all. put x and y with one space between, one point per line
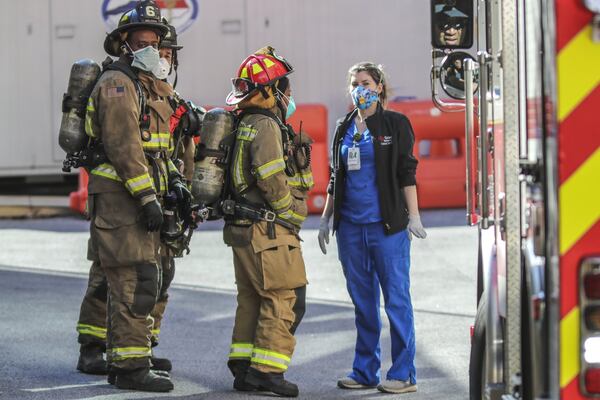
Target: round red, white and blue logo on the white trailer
180 13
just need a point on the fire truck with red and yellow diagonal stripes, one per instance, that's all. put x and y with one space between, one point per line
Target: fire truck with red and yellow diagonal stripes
528 81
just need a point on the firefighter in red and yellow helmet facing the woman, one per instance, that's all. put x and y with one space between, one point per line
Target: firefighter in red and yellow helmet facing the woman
271 180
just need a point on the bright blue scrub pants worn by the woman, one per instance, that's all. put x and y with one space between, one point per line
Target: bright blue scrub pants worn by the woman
371 258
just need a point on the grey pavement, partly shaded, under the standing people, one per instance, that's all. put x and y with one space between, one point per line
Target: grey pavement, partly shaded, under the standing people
42 280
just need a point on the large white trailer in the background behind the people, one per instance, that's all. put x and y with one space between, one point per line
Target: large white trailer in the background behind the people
322 38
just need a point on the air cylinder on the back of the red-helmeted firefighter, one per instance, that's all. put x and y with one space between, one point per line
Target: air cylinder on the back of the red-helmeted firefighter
208 172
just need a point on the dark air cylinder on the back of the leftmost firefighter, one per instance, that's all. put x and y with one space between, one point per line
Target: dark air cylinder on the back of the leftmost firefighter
84 74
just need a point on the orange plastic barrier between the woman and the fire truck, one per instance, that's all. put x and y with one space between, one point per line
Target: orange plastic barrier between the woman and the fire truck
440 149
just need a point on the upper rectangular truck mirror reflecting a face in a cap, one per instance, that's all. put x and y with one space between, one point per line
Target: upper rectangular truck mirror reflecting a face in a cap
452 24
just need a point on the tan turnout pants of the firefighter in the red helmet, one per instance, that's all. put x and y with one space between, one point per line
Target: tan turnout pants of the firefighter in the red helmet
271 283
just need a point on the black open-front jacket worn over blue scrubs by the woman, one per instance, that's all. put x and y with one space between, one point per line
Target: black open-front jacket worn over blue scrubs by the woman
395 166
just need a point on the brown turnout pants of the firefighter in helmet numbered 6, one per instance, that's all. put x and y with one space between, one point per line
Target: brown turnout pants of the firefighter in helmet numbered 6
127 255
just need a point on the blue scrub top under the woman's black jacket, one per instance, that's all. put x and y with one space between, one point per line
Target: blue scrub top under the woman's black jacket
361 198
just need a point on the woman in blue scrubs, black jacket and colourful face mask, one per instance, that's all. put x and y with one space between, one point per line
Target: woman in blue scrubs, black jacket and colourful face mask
372 197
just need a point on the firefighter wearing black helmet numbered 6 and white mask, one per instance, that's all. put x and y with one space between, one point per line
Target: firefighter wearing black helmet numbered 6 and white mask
124 116
